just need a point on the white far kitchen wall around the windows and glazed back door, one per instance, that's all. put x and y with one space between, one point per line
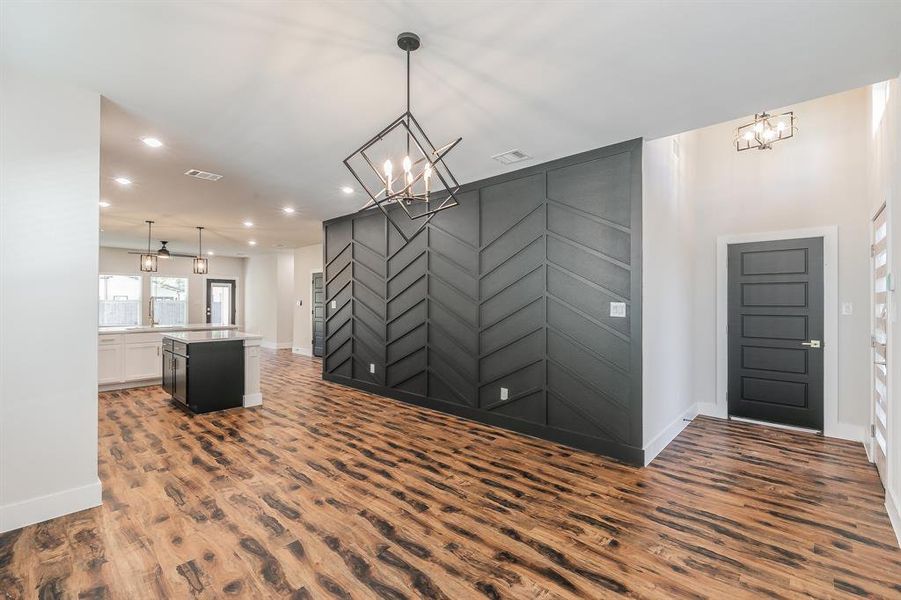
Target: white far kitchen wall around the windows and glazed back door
117 261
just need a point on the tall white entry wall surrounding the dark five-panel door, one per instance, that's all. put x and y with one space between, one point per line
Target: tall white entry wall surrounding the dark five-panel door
818 178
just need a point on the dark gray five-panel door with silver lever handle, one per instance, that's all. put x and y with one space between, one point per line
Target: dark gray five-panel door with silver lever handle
776 331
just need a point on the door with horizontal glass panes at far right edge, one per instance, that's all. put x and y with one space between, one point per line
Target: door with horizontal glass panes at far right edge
879 271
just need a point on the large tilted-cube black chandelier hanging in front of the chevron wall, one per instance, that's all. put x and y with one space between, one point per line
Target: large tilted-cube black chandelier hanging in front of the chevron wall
426 185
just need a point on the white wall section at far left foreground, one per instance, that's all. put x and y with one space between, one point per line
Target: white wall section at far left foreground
49 233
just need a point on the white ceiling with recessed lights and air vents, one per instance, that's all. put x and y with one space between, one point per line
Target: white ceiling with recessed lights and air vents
273 95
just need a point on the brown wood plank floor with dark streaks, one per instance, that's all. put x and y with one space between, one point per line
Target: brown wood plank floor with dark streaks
327 492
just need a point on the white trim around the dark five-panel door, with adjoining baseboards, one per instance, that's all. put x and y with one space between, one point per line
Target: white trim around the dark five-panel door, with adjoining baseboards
831 425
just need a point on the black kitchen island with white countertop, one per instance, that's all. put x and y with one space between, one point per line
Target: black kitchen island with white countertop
206 371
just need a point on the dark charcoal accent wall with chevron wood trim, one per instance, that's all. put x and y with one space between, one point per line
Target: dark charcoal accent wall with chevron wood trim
511 289
